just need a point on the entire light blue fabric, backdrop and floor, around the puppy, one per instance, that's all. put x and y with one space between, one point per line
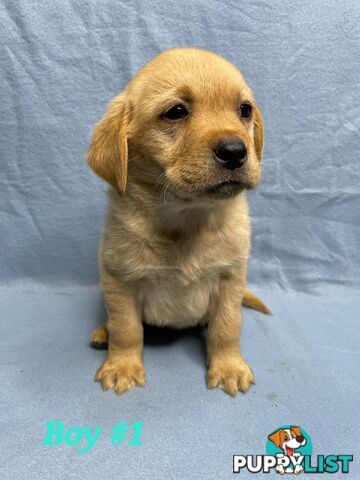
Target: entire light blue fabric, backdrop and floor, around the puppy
60 64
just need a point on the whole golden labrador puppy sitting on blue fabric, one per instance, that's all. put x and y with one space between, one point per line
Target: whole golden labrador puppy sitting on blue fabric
180 145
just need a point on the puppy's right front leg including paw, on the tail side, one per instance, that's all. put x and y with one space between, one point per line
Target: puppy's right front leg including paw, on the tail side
227 368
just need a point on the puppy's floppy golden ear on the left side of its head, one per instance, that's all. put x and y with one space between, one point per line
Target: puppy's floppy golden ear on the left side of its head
108 152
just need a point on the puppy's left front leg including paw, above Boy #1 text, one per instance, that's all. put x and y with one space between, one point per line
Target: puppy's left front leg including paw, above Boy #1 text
123 367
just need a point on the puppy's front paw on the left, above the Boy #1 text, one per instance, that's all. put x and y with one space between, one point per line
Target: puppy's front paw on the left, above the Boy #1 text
121 374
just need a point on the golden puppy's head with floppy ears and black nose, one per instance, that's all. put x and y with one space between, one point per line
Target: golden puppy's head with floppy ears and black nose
187 122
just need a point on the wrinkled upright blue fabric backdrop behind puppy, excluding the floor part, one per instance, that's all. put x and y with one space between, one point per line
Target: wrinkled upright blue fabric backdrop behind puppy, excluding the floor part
62 62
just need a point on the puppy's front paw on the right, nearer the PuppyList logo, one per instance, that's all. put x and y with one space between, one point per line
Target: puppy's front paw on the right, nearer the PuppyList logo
230 374
